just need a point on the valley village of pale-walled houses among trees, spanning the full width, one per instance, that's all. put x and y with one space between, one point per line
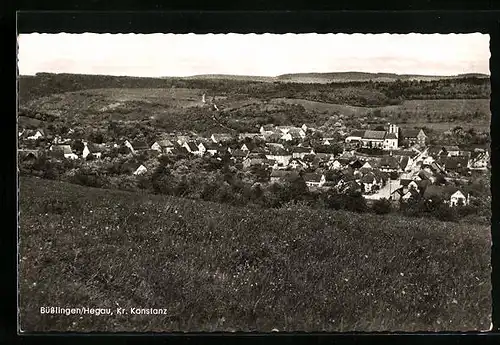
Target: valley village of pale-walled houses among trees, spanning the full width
392 164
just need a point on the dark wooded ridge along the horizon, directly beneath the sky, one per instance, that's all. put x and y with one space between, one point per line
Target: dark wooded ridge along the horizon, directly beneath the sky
356 93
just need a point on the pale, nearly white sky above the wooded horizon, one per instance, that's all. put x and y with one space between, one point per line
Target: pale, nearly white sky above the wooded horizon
156 55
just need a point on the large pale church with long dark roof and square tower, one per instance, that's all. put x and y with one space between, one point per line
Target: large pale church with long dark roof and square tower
386 140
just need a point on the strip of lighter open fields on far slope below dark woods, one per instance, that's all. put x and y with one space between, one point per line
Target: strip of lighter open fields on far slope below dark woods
101 101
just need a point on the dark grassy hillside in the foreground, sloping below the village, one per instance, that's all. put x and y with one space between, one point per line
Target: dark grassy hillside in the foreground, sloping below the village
219 268
